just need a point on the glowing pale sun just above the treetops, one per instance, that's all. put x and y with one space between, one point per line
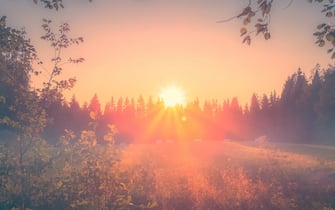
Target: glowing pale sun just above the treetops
172 96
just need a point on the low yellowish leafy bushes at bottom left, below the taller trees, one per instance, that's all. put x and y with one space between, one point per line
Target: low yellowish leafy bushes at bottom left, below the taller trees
78 173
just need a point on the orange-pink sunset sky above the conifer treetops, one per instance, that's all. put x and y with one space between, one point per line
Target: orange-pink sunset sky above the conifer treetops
139 47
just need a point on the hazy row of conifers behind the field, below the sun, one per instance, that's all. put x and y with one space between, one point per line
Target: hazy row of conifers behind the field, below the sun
303 112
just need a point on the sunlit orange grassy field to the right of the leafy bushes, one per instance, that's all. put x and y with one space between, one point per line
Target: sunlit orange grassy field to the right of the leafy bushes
232 175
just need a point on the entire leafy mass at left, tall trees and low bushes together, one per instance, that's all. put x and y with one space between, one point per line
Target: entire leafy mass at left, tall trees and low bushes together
76 173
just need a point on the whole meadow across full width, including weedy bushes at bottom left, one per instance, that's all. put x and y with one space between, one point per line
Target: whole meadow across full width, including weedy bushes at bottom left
172 176
